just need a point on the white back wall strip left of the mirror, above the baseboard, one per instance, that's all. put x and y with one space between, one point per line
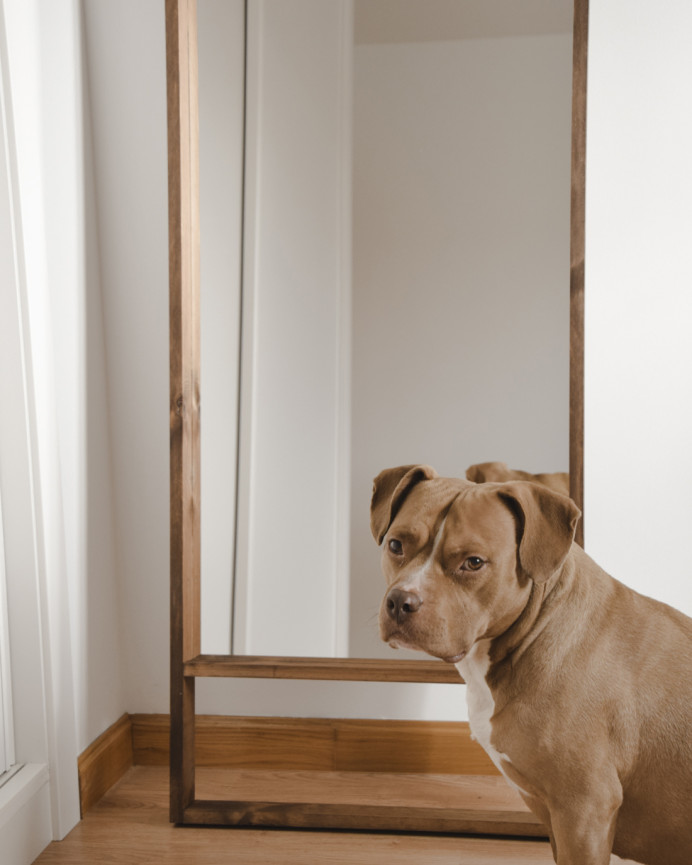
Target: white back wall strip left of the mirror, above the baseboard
125 54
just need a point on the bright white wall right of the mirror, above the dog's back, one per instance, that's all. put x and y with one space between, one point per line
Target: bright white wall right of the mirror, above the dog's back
638 468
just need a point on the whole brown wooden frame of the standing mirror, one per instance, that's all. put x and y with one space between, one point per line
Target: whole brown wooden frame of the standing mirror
187 662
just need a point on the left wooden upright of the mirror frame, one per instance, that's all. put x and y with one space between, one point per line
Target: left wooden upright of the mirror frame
183 204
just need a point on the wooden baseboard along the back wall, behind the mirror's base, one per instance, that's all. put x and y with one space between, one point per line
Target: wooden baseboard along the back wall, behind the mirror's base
319 744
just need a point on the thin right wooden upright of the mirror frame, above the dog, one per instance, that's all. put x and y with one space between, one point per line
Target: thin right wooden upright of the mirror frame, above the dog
577 256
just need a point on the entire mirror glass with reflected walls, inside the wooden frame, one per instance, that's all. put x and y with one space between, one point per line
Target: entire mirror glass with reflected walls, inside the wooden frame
404 262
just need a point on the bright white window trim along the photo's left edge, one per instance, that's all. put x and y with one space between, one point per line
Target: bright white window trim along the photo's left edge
40 802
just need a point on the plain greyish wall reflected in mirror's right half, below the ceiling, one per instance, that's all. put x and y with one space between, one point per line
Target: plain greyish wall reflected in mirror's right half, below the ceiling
461 269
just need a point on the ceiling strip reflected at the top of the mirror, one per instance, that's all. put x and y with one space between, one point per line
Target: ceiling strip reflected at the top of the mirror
378 21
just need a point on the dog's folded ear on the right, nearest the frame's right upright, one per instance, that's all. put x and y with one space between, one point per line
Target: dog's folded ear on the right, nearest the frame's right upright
546 523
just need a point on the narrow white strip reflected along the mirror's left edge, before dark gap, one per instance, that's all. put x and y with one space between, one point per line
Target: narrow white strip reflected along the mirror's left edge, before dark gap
221 31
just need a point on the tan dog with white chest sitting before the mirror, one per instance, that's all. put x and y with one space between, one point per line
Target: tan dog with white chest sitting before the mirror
578 688
